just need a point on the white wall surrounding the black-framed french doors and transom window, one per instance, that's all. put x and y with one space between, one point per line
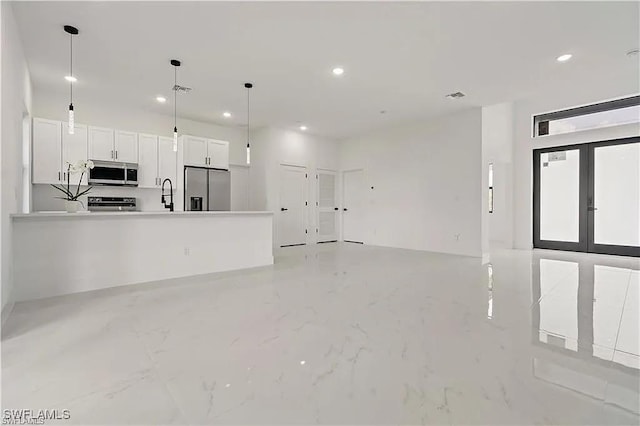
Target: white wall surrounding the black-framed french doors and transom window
524 143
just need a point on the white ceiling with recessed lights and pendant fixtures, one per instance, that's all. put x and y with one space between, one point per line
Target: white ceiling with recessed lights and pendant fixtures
399 57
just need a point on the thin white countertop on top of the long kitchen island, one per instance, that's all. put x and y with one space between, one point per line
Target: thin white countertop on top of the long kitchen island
111 215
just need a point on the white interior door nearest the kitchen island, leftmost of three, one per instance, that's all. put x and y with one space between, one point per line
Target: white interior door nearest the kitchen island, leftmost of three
291 214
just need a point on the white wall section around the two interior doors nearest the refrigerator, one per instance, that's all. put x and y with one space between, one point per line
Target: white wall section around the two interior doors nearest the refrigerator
271 147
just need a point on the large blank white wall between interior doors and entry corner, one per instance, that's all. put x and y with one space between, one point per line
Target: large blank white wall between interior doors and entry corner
426 181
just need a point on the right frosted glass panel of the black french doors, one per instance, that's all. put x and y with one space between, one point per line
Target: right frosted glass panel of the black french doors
617 195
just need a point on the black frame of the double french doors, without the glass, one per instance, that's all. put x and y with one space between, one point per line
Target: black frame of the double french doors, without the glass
585 204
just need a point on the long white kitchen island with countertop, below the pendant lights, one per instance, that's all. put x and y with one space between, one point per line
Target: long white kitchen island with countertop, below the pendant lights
64 253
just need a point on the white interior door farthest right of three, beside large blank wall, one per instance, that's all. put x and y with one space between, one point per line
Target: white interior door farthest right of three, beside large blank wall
353 206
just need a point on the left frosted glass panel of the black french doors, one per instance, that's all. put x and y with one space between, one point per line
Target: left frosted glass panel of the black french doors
559 195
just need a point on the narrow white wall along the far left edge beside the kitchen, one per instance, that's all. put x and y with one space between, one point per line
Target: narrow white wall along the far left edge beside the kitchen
16 103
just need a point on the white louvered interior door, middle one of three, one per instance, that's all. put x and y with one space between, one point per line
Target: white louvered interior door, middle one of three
327 210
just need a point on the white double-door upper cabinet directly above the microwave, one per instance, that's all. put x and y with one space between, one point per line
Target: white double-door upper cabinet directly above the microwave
109 145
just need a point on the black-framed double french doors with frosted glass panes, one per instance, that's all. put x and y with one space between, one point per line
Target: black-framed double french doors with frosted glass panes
587 197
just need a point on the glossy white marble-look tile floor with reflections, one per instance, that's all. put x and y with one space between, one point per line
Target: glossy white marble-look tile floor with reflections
342 333
